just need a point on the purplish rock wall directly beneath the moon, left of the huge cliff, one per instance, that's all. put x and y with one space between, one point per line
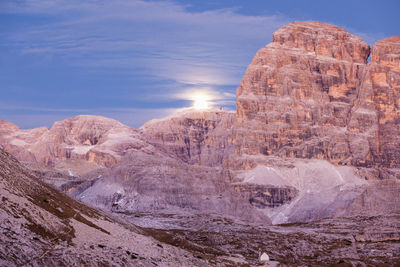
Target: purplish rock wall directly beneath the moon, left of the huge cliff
195 137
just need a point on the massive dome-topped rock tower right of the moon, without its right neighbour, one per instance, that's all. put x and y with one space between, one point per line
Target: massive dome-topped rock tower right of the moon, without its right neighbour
298 92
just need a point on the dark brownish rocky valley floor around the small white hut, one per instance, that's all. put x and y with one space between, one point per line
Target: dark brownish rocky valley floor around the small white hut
353 241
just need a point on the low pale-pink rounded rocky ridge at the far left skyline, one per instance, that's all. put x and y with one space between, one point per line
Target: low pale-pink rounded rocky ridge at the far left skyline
96 139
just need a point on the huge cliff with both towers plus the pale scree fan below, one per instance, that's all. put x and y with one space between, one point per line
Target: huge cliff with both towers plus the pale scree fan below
312 95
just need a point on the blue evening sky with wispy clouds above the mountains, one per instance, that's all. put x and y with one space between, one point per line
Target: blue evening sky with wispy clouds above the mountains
135 60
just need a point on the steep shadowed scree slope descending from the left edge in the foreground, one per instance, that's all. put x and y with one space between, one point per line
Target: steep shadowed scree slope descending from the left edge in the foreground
41 226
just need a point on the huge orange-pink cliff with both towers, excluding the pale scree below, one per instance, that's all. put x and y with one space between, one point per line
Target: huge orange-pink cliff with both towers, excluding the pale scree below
312 94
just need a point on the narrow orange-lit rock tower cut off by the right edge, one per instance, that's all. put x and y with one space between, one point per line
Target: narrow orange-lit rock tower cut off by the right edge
383 75
